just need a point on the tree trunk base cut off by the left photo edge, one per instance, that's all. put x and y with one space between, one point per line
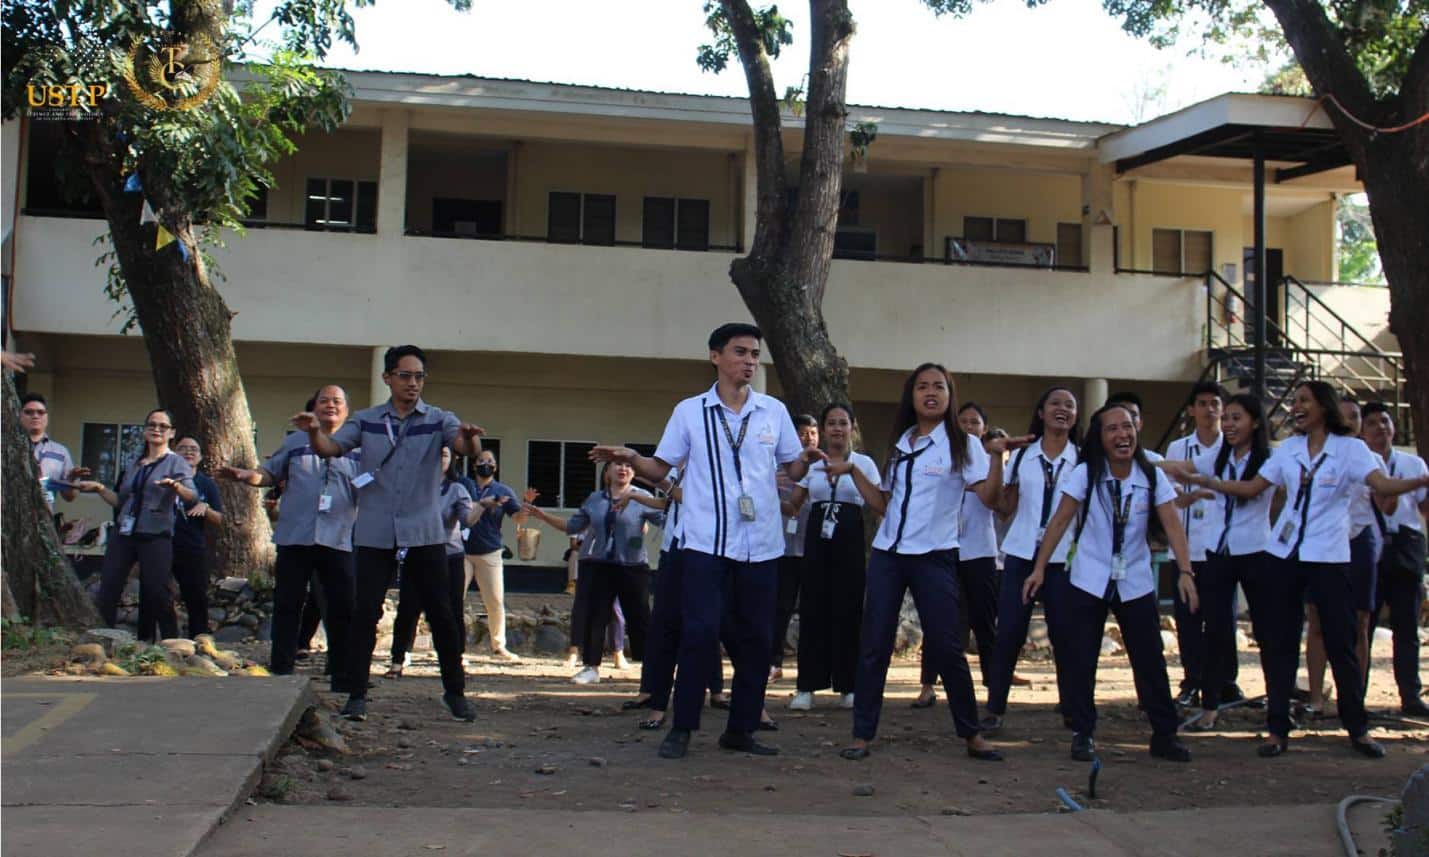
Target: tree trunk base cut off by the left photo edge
39 582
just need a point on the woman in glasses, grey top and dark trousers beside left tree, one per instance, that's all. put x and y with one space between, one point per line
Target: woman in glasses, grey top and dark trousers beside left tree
145 529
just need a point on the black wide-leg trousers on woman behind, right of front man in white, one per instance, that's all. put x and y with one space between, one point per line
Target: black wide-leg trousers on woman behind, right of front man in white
831 602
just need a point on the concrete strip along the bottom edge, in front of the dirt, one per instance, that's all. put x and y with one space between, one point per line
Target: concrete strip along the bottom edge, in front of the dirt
384 832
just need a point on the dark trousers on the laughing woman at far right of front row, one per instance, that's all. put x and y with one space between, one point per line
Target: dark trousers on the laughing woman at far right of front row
1328 586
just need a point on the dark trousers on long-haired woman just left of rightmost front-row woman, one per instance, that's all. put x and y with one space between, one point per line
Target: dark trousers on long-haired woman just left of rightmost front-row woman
1217 582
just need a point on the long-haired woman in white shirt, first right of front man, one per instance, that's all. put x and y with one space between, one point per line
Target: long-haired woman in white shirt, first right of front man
932 465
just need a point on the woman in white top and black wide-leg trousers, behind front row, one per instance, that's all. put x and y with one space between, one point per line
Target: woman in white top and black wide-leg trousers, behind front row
831 601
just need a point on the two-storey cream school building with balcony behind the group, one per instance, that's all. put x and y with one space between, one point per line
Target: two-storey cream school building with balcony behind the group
562 254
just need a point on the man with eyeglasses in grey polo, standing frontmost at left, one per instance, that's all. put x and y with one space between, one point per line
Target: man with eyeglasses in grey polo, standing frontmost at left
399 518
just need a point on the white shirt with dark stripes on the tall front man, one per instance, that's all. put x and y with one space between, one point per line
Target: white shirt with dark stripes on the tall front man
695 441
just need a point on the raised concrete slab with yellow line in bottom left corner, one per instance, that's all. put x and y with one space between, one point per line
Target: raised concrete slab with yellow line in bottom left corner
135 766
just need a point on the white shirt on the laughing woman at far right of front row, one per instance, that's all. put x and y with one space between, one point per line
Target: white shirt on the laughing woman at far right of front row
1323 522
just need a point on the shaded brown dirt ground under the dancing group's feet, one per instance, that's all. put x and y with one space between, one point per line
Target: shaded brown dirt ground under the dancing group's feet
541 742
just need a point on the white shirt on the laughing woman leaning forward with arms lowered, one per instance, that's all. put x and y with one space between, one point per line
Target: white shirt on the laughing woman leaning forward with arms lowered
1092 562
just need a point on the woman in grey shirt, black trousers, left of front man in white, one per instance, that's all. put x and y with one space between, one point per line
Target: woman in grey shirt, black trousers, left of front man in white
614 562
